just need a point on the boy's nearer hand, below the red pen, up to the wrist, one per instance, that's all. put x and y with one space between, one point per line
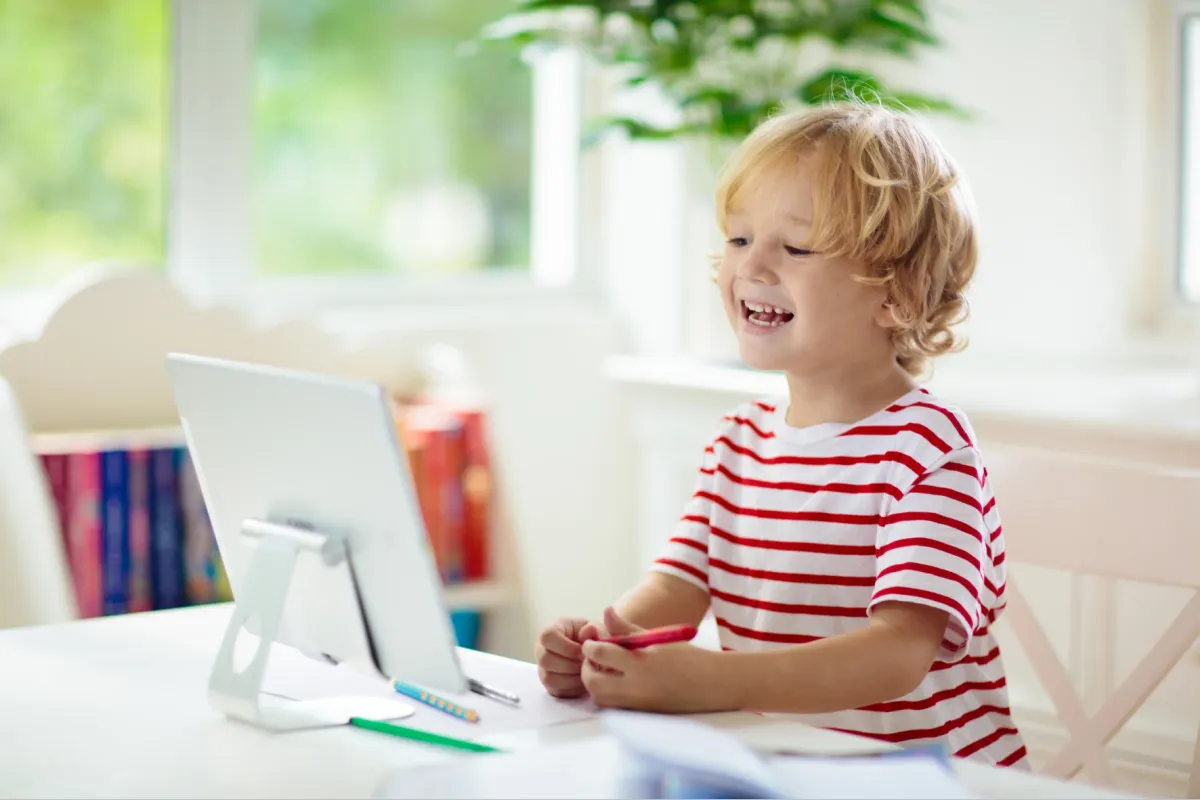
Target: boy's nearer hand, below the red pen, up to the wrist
671 678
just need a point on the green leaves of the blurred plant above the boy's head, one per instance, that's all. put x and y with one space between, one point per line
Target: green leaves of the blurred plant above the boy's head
703 39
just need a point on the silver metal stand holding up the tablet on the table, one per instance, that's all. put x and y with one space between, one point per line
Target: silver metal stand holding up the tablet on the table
238 691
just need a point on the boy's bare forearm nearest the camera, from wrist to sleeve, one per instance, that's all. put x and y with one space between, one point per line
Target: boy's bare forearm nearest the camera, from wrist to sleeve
880 663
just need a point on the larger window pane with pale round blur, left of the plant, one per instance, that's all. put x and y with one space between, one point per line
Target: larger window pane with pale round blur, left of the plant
383 143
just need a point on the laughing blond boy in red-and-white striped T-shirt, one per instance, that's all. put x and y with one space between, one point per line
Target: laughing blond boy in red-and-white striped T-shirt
847 542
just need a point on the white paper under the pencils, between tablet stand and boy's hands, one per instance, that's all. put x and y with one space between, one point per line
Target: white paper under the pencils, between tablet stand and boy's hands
293 676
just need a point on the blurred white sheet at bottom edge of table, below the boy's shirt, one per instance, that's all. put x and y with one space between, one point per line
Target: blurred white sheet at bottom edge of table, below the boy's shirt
885 778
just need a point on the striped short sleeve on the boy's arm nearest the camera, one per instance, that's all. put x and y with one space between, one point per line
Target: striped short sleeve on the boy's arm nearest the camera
933 548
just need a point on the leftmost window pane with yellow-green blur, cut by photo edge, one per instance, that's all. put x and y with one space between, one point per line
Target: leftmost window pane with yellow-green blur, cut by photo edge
83 131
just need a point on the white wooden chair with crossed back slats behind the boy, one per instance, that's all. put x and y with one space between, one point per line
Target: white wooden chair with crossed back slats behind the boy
1106 519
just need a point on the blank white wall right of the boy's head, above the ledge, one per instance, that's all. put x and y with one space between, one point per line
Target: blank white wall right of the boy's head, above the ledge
1070 103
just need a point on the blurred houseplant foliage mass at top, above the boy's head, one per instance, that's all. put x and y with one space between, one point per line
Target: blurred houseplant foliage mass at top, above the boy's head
728 65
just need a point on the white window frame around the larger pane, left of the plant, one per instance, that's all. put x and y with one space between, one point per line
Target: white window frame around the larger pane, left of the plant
209 238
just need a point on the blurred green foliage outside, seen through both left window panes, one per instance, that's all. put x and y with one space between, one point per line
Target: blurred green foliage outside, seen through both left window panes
357 104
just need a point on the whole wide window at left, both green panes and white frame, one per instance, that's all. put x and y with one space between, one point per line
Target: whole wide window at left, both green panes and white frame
365 151
